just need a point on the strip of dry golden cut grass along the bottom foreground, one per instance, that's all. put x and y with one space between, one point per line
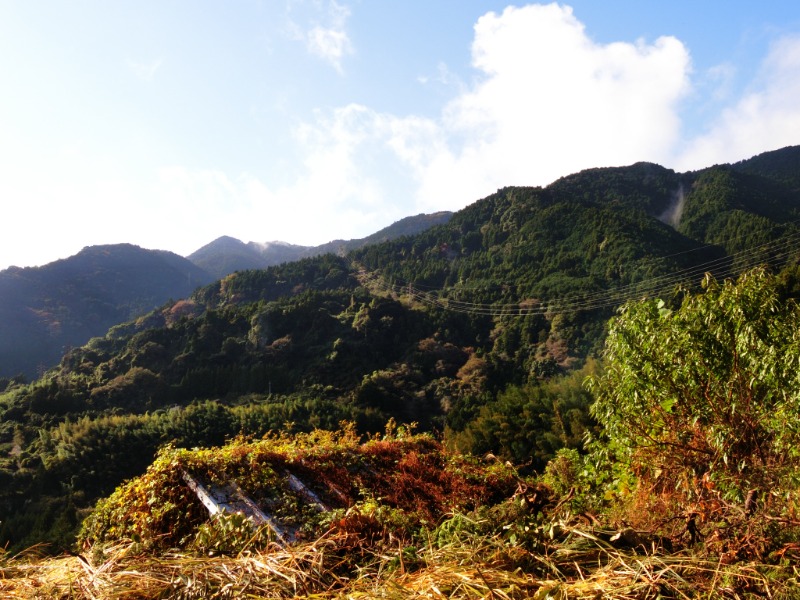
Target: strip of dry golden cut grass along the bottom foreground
469 566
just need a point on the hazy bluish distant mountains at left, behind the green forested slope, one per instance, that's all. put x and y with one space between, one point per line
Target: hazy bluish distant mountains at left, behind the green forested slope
46 310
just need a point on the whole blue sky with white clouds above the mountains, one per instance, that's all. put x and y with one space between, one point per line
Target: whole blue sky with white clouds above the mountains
169 123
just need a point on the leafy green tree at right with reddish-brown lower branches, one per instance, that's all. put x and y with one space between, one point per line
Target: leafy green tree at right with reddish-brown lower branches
702 402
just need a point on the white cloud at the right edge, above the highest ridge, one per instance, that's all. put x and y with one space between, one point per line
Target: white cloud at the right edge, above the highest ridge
767 117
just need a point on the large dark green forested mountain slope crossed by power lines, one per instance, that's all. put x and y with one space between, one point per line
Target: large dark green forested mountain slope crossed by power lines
482 327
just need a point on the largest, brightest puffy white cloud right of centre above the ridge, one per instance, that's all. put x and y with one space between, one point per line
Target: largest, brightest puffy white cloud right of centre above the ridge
549 102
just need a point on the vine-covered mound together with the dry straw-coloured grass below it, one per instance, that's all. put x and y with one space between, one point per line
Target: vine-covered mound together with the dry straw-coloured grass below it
398 517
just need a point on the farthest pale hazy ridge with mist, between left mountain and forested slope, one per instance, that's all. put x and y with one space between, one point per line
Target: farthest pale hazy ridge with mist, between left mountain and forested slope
226 254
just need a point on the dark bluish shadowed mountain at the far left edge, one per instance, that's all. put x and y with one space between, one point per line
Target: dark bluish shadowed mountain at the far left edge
46 310
